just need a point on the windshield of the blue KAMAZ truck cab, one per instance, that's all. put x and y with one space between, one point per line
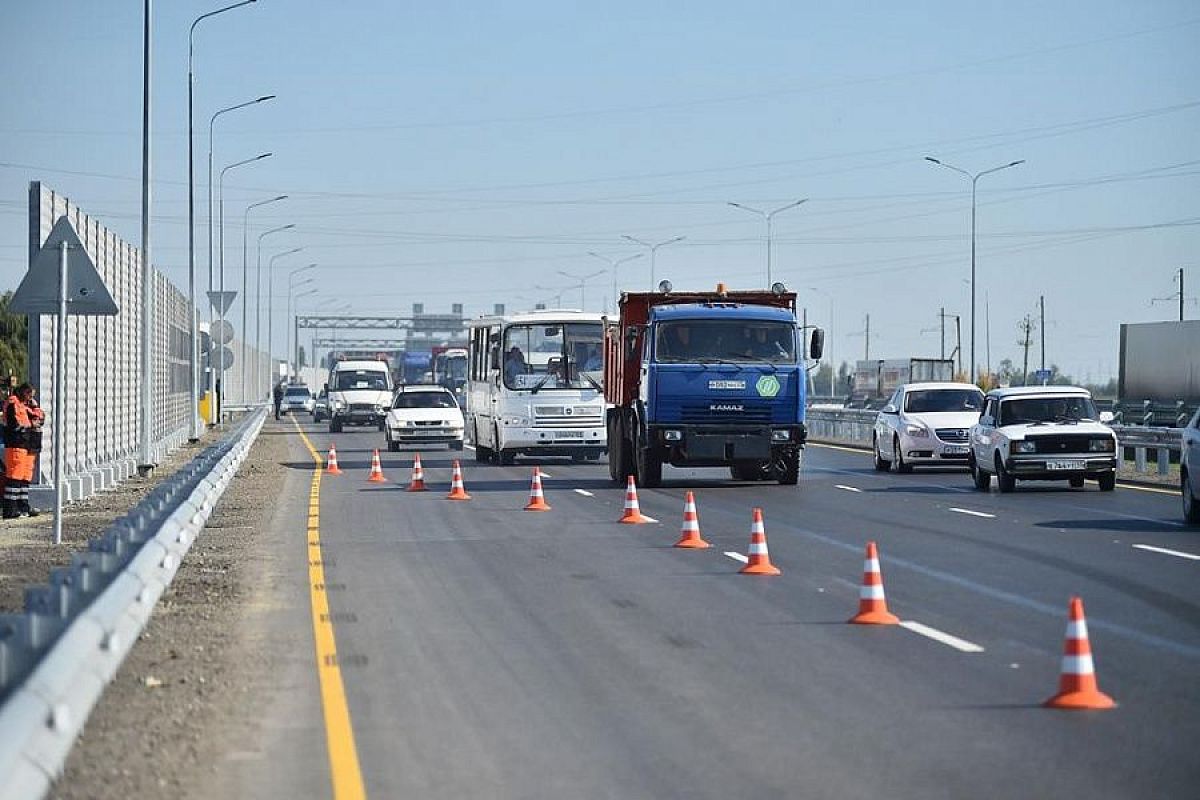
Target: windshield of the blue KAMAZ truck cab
689 341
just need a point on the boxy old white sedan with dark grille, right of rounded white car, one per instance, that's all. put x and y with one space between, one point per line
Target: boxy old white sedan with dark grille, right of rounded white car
1042 434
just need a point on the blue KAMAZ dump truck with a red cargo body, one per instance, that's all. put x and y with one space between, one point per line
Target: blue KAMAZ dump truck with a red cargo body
706 380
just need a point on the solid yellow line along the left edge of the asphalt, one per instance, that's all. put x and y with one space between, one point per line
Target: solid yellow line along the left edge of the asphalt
344 756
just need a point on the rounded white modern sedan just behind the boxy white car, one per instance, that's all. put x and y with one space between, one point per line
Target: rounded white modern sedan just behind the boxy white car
926 424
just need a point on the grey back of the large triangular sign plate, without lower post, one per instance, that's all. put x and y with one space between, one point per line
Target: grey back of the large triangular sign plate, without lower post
39 291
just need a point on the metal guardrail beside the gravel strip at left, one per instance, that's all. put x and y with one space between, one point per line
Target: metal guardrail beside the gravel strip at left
57 658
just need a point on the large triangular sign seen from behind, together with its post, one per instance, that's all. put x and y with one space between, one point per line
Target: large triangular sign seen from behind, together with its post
62 281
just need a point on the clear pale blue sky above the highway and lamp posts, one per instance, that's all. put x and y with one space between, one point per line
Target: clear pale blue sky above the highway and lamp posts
467 153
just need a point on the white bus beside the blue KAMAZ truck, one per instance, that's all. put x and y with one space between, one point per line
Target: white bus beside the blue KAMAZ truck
535 387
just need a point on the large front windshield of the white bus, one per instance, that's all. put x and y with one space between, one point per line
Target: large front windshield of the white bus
565 356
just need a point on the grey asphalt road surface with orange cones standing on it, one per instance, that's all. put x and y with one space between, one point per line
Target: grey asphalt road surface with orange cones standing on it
483 652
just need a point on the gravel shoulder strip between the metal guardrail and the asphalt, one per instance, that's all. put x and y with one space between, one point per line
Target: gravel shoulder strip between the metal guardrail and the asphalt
188 691
